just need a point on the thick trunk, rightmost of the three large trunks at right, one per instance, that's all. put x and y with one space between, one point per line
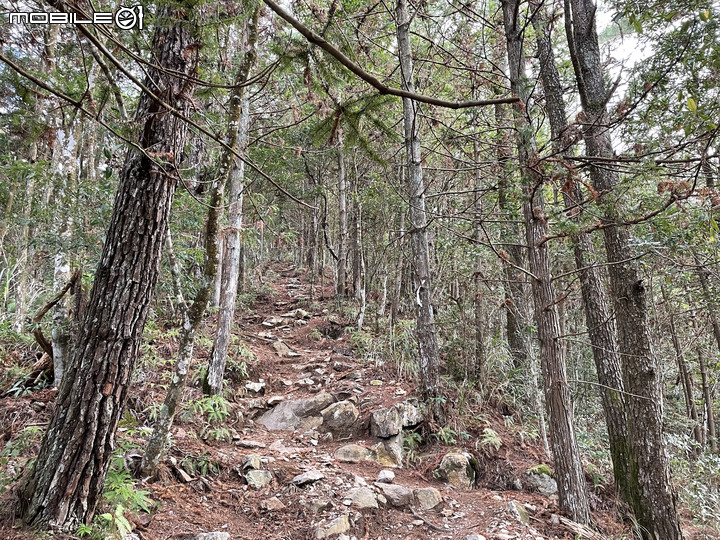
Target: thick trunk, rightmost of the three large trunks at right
656 507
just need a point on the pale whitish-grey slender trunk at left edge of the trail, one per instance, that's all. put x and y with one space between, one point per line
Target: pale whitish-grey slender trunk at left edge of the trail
234 173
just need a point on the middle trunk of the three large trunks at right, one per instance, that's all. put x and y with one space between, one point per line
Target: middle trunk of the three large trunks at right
599 323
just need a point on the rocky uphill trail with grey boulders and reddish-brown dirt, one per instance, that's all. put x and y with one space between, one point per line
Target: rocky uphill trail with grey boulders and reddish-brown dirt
317 450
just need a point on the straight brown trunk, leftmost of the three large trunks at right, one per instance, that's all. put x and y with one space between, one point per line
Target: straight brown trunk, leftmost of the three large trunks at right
572 491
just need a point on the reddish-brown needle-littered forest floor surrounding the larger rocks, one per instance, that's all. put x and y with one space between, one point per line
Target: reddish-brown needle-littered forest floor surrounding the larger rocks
202 486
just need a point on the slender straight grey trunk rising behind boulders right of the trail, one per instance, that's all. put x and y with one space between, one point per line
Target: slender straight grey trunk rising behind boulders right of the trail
429 358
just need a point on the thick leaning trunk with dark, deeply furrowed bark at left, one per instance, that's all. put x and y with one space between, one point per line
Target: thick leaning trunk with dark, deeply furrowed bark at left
67 478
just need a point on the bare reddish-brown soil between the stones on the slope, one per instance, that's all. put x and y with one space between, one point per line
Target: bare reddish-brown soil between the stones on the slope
217 499
